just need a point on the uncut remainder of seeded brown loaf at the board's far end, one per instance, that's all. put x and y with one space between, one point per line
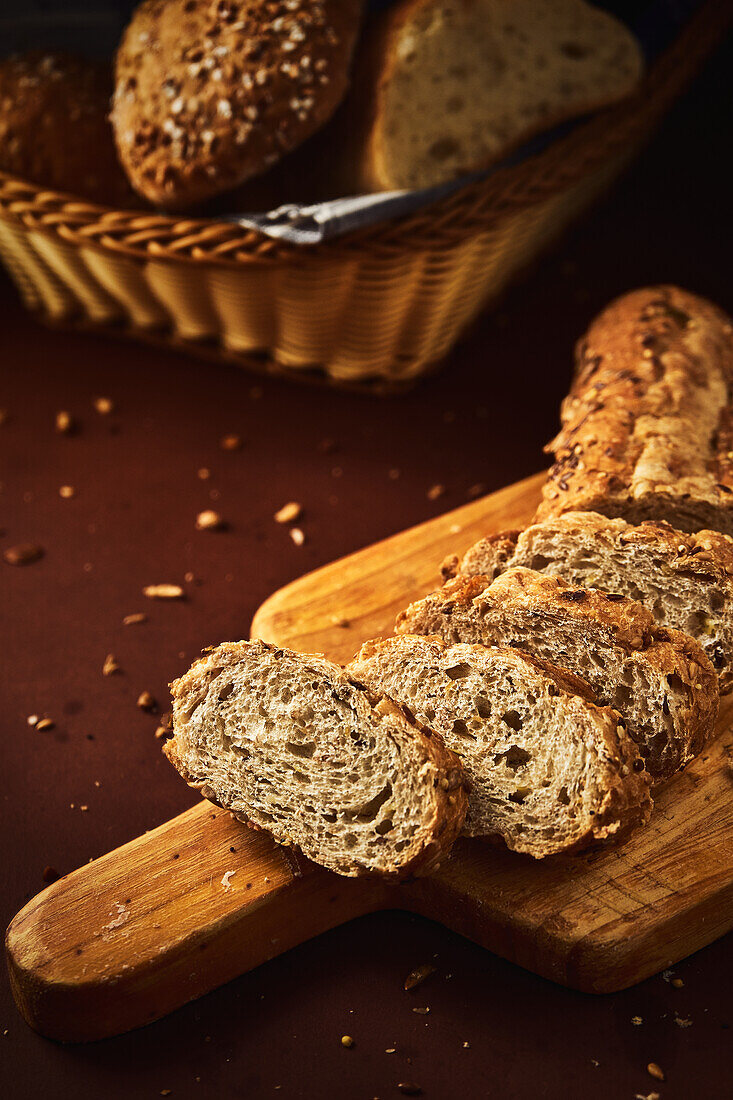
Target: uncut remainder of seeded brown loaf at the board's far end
648 425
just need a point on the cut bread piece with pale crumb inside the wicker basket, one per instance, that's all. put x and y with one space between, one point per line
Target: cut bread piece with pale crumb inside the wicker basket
452 86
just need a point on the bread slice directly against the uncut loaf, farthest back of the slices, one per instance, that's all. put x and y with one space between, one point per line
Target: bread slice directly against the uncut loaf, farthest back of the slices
685 580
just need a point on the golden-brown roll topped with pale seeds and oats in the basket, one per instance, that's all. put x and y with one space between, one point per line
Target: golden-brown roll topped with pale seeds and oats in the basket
211 94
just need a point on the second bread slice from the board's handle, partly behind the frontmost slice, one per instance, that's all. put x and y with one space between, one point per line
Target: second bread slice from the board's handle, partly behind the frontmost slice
550 772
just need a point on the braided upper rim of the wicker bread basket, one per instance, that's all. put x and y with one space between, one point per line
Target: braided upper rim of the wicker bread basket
445 223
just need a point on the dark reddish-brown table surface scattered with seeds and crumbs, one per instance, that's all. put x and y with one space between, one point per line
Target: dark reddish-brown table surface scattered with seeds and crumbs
99 778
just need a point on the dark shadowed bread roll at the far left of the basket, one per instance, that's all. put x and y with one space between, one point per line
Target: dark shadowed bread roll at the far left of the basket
54 127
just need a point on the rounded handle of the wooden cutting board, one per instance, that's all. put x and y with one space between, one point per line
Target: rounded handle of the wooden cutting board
163 920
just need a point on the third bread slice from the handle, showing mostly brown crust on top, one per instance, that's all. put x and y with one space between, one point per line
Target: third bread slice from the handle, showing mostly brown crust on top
660 680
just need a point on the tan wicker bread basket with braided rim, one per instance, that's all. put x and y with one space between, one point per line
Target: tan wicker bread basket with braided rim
377 307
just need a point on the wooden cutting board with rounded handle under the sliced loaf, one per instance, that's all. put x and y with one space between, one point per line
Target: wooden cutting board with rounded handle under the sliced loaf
202 899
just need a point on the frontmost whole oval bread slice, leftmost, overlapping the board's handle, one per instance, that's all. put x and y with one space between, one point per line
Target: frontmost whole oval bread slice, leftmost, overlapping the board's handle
292 745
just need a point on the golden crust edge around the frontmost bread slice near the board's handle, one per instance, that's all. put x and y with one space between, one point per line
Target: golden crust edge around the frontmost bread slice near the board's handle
448 778
